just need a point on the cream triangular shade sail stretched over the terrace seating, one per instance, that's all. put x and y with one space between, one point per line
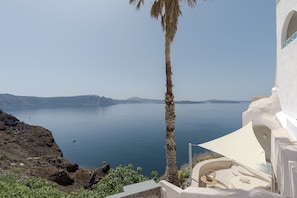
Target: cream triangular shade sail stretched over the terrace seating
242 146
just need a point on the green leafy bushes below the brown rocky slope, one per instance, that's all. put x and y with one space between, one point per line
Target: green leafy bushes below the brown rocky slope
12 185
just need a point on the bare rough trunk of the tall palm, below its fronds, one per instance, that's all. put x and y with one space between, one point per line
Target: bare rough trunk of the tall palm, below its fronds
171 173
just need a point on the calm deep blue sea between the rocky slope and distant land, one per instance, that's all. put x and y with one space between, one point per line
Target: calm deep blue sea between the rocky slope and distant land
132 133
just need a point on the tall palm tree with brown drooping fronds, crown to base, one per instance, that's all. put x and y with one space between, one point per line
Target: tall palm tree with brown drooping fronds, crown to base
169 11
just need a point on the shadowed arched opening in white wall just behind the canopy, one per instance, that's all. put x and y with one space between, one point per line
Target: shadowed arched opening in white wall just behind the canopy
263 135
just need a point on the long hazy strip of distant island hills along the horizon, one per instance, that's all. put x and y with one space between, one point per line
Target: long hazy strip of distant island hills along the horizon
11 102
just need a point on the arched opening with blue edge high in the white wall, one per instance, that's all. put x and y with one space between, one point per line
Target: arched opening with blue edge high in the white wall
289 32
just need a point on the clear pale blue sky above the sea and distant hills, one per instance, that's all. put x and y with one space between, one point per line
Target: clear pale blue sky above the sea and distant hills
223 49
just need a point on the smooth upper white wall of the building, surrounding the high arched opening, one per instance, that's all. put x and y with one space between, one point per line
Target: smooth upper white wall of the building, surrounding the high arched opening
286 68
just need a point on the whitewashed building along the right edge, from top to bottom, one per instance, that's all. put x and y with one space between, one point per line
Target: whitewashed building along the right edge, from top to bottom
275 118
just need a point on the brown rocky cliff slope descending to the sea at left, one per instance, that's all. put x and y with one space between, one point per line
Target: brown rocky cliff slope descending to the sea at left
32 151
